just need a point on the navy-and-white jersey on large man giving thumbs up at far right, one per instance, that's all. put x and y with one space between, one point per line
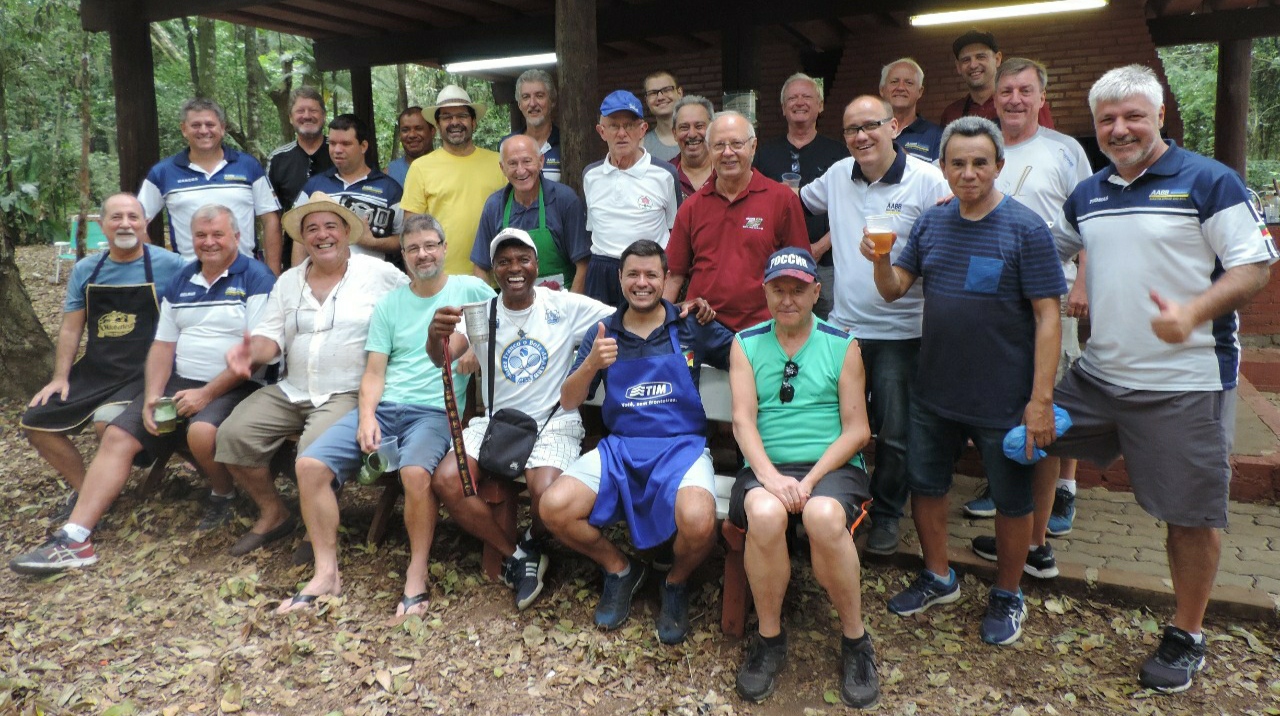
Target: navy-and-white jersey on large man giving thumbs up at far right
1174 231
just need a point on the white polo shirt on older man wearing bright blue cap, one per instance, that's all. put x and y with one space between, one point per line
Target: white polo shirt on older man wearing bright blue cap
627 206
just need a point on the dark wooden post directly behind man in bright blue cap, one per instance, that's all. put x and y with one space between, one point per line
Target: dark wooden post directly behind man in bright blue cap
579 98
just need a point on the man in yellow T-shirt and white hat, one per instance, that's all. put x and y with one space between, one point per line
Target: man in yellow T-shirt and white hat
454 185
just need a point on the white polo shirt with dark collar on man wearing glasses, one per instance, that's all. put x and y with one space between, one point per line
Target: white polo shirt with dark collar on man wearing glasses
906 191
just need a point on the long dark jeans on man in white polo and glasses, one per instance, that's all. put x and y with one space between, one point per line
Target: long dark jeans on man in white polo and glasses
890 372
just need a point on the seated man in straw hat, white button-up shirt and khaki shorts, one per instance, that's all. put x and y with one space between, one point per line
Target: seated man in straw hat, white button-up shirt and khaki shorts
318 318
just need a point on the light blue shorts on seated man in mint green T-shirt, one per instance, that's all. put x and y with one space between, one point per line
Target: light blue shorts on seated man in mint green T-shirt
423 432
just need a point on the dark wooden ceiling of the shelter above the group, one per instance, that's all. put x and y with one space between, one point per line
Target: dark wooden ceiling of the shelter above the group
374 33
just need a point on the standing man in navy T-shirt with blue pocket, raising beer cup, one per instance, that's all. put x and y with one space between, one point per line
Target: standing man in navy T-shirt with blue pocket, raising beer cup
991 289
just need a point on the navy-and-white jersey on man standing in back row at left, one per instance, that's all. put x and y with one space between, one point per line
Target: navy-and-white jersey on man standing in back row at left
239 183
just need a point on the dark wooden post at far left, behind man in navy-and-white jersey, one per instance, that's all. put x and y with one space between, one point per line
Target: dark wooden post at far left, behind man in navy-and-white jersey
138 131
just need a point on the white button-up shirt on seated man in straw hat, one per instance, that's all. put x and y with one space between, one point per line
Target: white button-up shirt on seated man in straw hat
324 343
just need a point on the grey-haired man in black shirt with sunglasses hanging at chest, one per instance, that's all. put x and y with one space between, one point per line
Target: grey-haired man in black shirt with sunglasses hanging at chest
806 153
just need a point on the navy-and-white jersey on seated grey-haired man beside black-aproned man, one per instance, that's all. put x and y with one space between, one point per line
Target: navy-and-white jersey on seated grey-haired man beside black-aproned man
205 321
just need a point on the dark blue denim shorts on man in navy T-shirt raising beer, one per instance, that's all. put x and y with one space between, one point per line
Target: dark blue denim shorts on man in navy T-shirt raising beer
935 441
